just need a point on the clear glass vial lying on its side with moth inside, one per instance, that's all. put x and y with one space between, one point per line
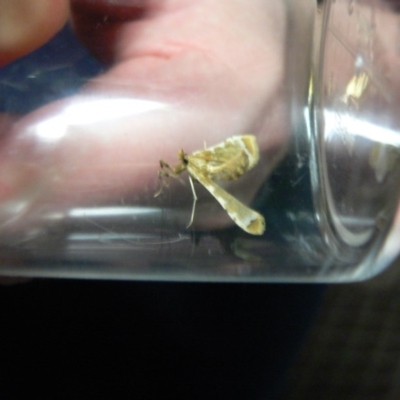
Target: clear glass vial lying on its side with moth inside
275 123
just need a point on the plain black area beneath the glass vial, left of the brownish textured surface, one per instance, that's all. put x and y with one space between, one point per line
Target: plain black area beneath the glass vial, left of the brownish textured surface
69 339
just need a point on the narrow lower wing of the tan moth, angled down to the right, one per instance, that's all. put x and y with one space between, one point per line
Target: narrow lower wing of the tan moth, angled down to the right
249 220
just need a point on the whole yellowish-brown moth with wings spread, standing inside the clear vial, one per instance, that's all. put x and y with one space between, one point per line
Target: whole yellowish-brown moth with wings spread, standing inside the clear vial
226 161
